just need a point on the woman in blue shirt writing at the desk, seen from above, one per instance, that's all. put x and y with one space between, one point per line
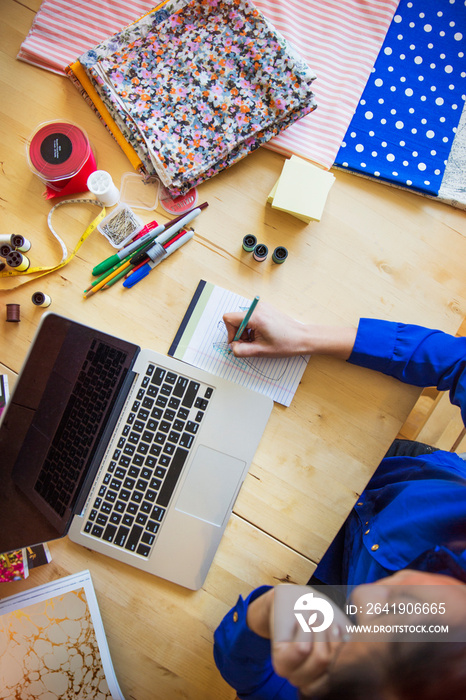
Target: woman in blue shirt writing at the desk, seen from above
408 528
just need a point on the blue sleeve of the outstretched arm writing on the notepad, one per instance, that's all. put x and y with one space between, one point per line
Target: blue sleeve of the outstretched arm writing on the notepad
414 355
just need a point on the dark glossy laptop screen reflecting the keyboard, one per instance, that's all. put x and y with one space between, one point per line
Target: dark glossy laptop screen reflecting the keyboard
61 403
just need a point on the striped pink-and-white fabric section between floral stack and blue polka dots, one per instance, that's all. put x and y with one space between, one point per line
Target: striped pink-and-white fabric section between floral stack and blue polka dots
340 40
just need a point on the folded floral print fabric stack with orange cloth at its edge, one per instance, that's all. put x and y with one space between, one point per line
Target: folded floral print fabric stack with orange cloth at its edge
193 87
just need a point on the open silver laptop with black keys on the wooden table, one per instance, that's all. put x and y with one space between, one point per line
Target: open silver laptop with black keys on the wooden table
133 454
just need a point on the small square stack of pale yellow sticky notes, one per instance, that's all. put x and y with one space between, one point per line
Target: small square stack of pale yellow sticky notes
301 189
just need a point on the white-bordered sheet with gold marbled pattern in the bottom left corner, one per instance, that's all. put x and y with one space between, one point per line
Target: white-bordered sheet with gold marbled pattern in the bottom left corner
53 644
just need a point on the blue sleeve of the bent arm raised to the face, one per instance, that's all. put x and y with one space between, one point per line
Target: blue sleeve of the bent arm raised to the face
243 657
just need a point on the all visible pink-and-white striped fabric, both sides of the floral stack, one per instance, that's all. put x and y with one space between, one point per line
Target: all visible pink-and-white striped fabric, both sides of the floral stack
338 39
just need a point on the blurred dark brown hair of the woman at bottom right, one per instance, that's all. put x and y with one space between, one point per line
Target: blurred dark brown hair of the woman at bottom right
406 671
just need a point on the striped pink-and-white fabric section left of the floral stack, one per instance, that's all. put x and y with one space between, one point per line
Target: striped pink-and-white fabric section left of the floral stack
63 29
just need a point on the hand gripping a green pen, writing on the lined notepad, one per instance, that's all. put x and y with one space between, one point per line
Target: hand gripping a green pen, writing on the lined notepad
269 333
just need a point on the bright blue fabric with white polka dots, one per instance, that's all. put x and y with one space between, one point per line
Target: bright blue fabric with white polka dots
405 123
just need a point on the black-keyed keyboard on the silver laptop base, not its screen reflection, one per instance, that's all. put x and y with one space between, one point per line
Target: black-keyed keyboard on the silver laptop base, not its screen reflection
143 471
